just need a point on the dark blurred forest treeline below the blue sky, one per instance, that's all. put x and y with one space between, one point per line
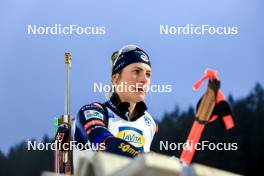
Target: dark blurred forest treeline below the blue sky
174 128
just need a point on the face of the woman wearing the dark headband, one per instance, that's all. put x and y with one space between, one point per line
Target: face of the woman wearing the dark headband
135 81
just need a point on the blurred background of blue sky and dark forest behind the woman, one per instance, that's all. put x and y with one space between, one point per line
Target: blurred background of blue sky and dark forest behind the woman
32 71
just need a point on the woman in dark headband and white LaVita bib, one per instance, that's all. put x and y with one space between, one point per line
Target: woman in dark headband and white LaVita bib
122 124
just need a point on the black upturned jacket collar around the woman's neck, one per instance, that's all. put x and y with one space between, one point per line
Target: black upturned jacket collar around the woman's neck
121 108
